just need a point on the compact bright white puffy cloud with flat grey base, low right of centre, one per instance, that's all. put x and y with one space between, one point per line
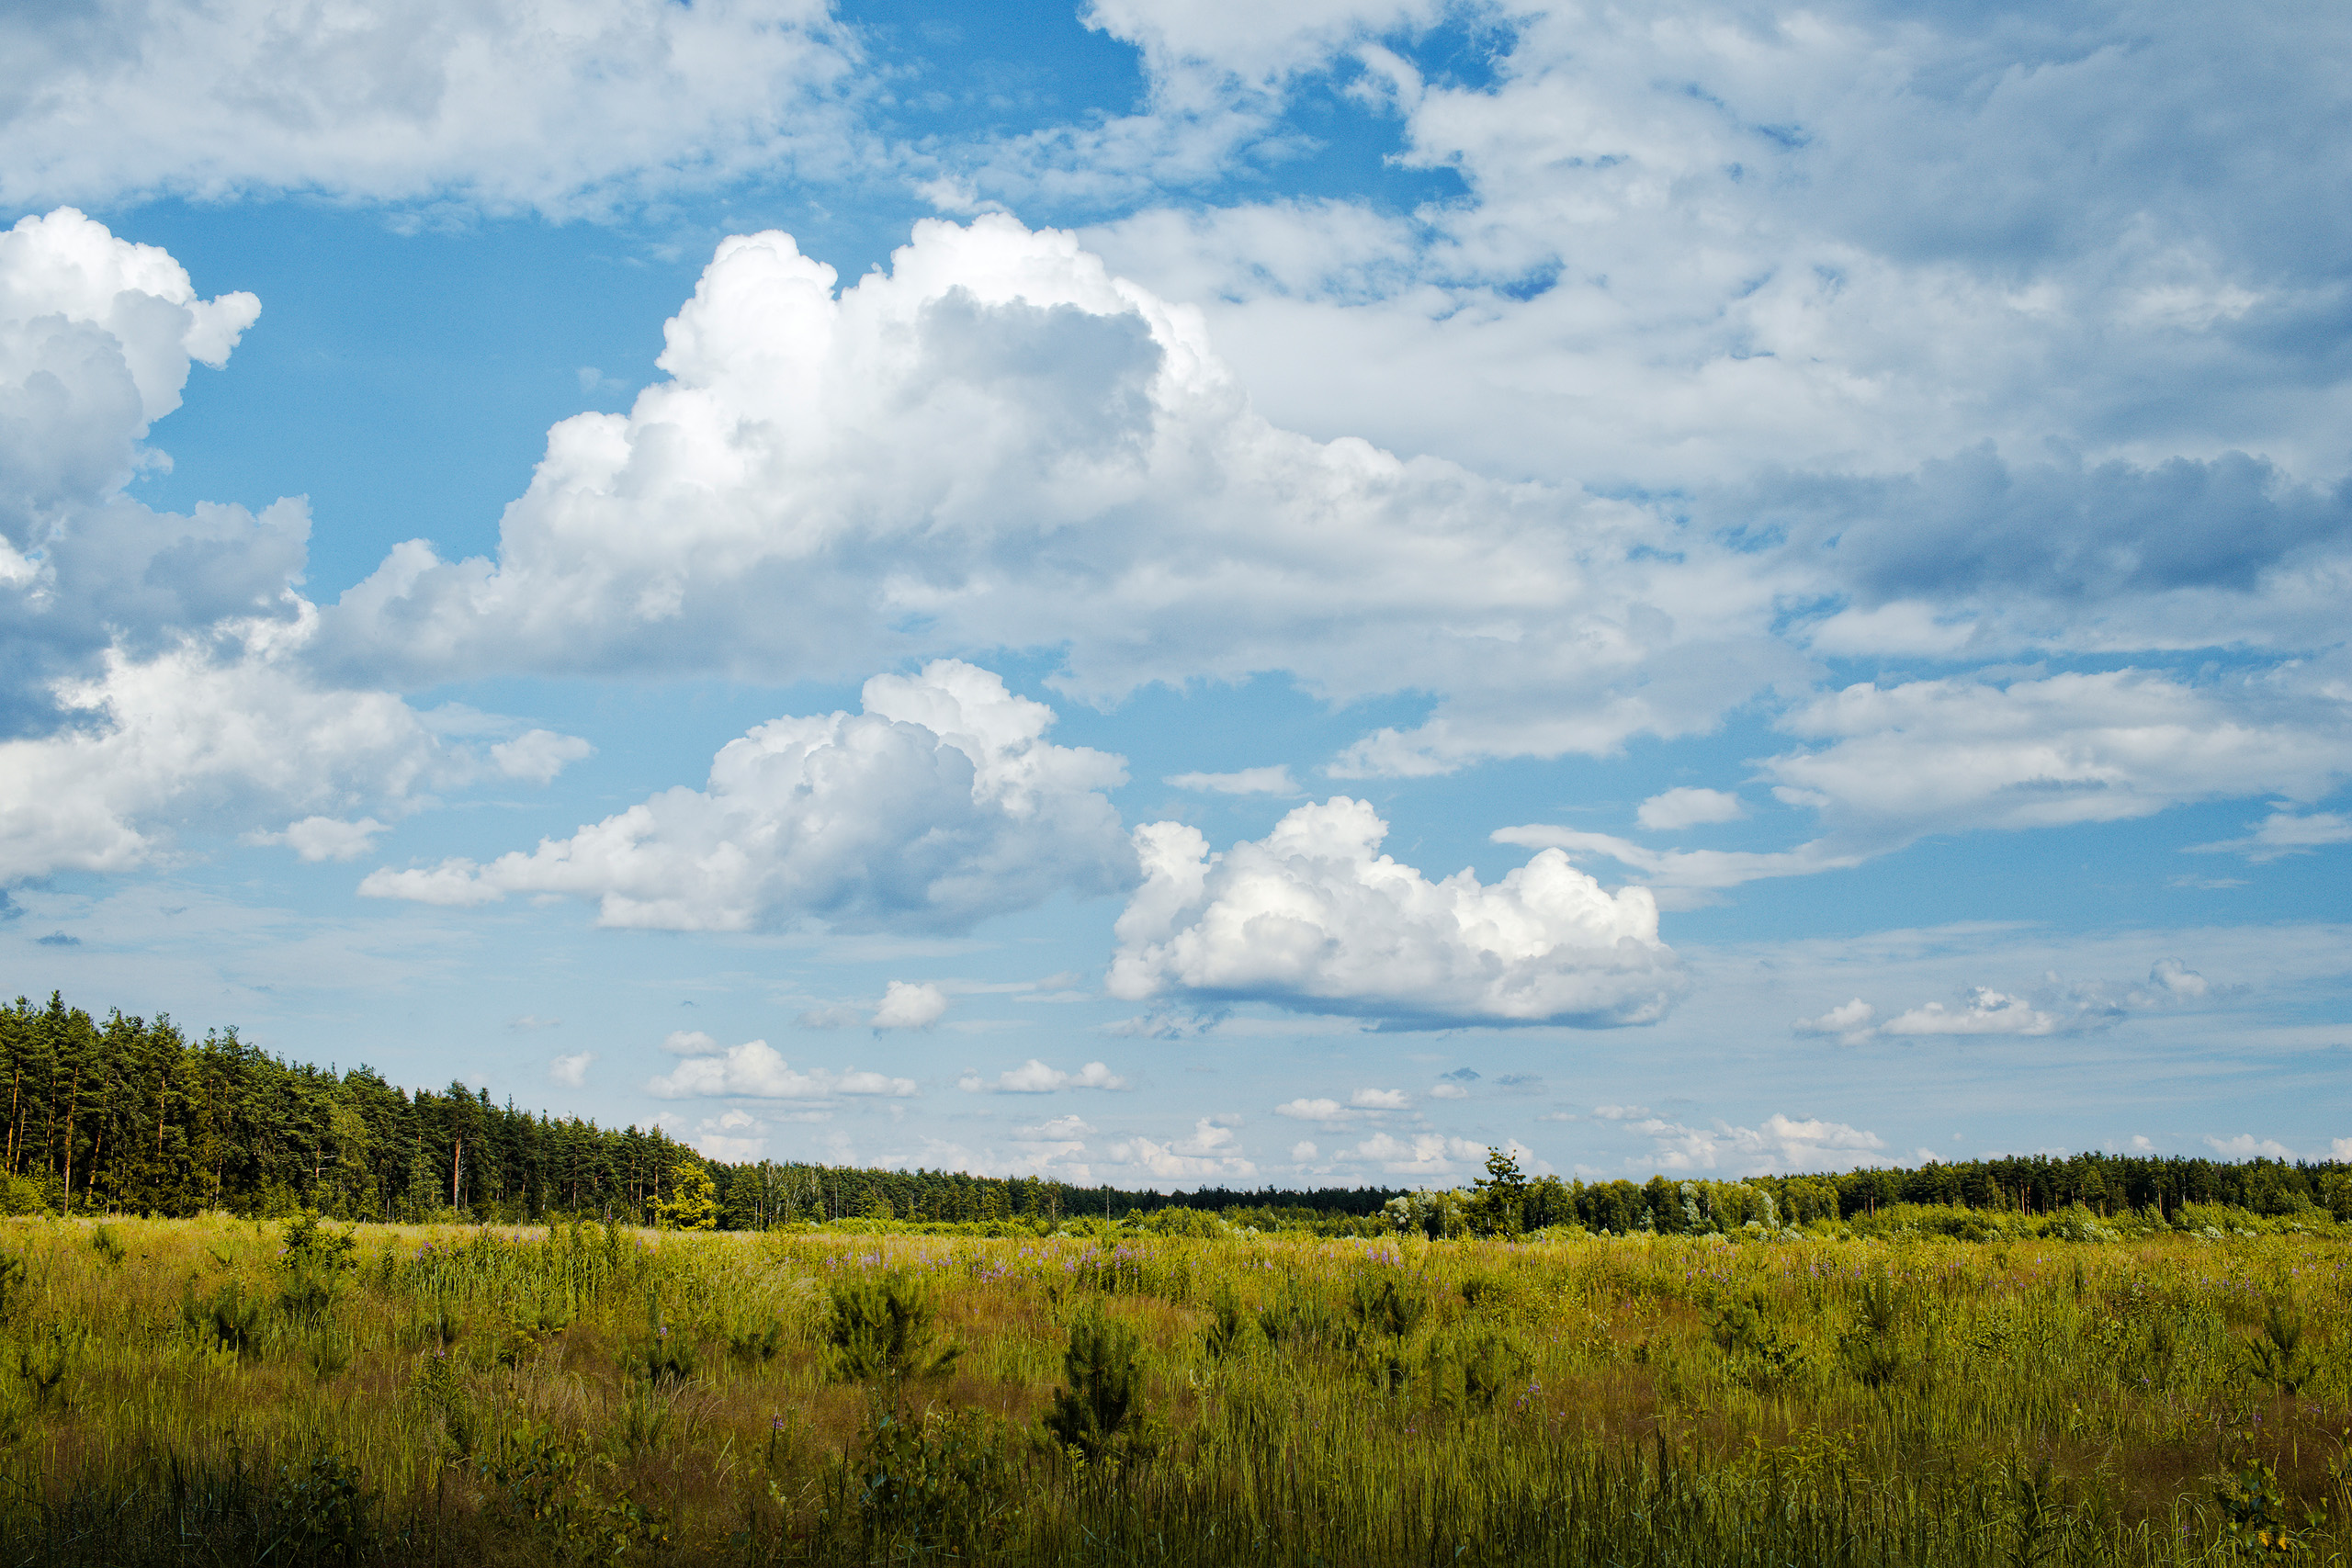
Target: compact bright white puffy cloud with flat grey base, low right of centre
1318 920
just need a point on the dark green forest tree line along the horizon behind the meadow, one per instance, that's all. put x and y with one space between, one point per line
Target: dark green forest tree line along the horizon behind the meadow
131 1115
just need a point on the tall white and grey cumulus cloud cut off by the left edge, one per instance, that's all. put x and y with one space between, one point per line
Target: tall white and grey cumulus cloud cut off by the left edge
159 674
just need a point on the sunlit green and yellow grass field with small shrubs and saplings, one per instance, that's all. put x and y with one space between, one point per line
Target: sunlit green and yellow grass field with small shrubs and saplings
234 1391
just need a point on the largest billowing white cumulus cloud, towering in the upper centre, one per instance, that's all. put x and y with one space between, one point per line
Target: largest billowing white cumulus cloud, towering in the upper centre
998 443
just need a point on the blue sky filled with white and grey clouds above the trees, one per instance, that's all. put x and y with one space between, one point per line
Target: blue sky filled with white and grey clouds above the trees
1198 594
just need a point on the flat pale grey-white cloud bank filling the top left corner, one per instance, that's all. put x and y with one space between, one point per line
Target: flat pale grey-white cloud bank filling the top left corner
507 105
